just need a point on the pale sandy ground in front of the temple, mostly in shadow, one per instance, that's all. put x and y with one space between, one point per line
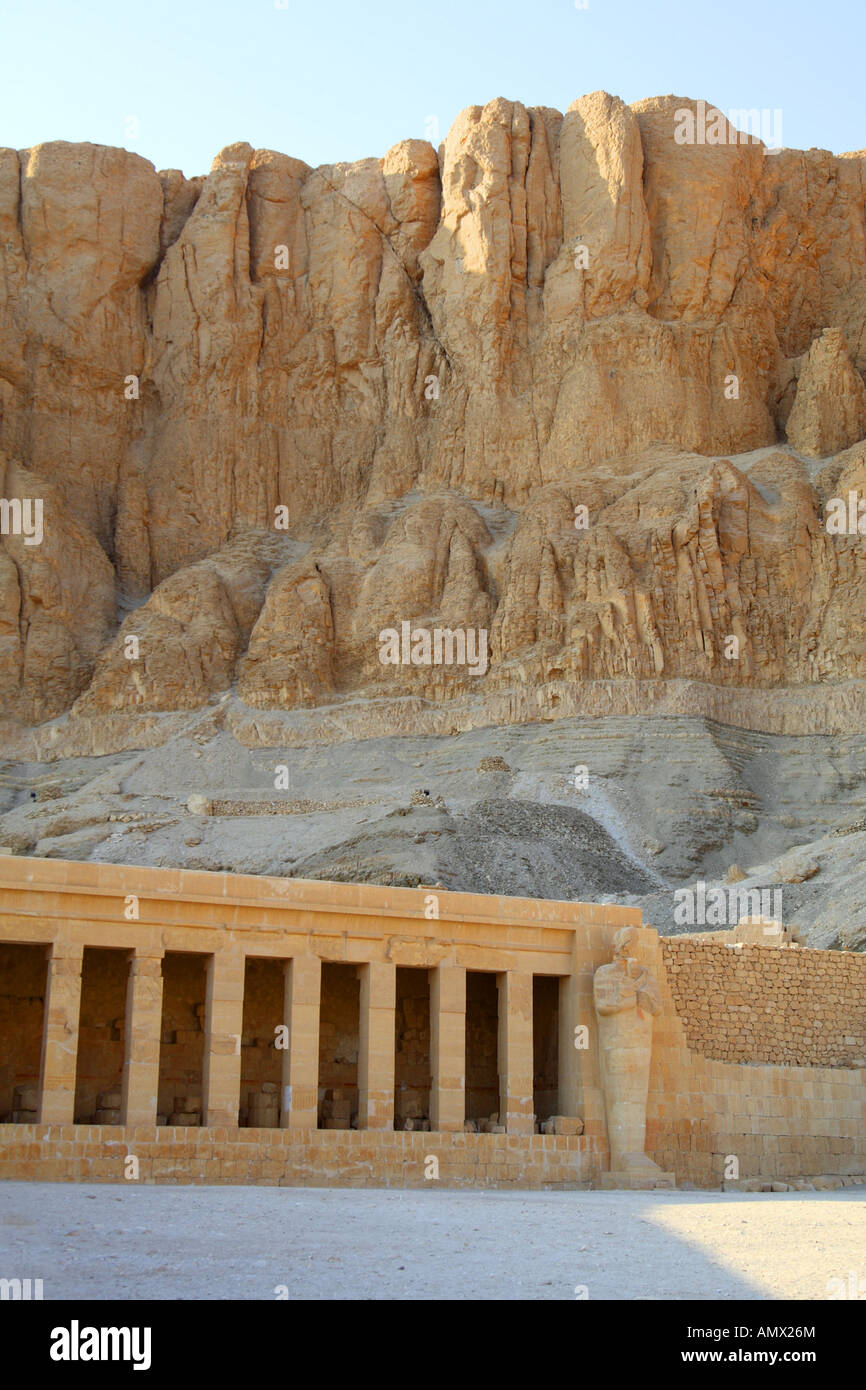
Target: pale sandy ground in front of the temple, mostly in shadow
111 1242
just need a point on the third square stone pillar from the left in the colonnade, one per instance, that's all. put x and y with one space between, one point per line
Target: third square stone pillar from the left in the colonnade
223 1028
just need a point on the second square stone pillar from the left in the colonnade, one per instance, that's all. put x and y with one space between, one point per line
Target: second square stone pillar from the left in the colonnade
142 1032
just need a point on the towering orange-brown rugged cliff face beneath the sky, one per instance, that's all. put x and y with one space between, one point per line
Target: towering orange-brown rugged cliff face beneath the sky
565 380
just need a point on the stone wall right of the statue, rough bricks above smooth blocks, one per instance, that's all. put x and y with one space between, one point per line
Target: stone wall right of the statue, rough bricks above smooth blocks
775 1120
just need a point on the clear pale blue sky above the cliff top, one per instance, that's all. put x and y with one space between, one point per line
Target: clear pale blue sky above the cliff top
333 80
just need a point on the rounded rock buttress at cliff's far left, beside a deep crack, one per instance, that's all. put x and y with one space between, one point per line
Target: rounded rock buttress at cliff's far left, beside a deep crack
83 234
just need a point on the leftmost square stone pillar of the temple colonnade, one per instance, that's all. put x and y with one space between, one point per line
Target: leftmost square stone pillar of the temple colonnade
60 1035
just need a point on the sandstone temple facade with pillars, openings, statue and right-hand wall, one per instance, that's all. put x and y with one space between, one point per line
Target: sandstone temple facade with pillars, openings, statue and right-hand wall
181 1027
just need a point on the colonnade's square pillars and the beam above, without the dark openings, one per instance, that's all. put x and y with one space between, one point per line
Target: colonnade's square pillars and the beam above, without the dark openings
149 913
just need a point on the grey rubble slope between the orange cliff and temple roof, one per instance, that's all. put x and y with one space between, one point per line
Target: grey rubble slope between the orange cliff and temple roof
667 803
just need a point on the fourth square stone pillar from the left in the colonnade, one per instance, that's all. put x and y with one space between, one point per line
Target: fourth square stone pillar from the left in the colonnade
302 1007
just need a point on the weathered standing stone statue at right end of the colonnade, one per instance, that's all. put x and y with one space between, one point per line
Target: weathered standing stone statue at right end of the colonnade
626 1000
